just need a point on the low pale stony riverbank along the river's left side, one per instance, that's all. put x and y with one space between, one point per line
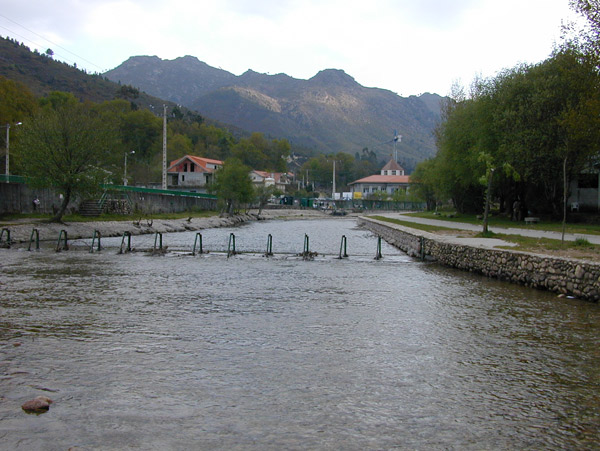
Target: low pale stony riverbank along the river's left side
20 231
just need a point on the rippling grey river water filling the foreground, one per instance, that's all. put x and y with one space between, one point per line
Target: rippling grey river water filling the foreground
252 353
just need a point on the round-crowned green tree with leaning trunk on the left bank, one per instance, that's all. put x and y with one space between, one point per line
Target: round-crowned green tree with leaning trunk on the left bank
65 147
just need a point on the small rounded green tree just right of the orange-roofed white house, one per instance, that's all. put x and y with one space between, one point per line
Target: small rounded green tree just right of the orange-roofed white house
233 185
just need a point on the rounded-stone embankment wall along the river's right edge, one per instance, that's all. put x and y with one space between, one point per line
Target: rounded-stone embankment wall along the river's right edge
560 275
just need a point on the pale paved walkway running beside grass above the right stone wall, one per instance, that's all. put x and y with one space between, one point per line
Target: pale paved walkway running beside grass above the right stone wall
595 239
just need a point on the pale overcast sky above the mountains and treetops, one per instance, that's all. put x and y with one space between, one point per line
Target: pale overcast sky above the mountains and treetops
406 46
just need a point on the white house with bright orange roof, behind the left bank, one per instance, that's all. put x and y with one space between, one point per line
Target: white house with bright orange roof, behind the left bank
193 173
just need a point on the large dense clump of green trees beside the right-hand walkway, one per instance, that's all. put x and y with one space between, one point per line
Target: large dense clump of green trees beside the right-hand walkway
514 135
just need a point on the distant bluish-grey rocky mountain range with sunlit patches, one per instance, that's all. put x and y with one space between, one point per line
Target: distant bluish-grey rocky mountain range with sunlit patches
329 112
